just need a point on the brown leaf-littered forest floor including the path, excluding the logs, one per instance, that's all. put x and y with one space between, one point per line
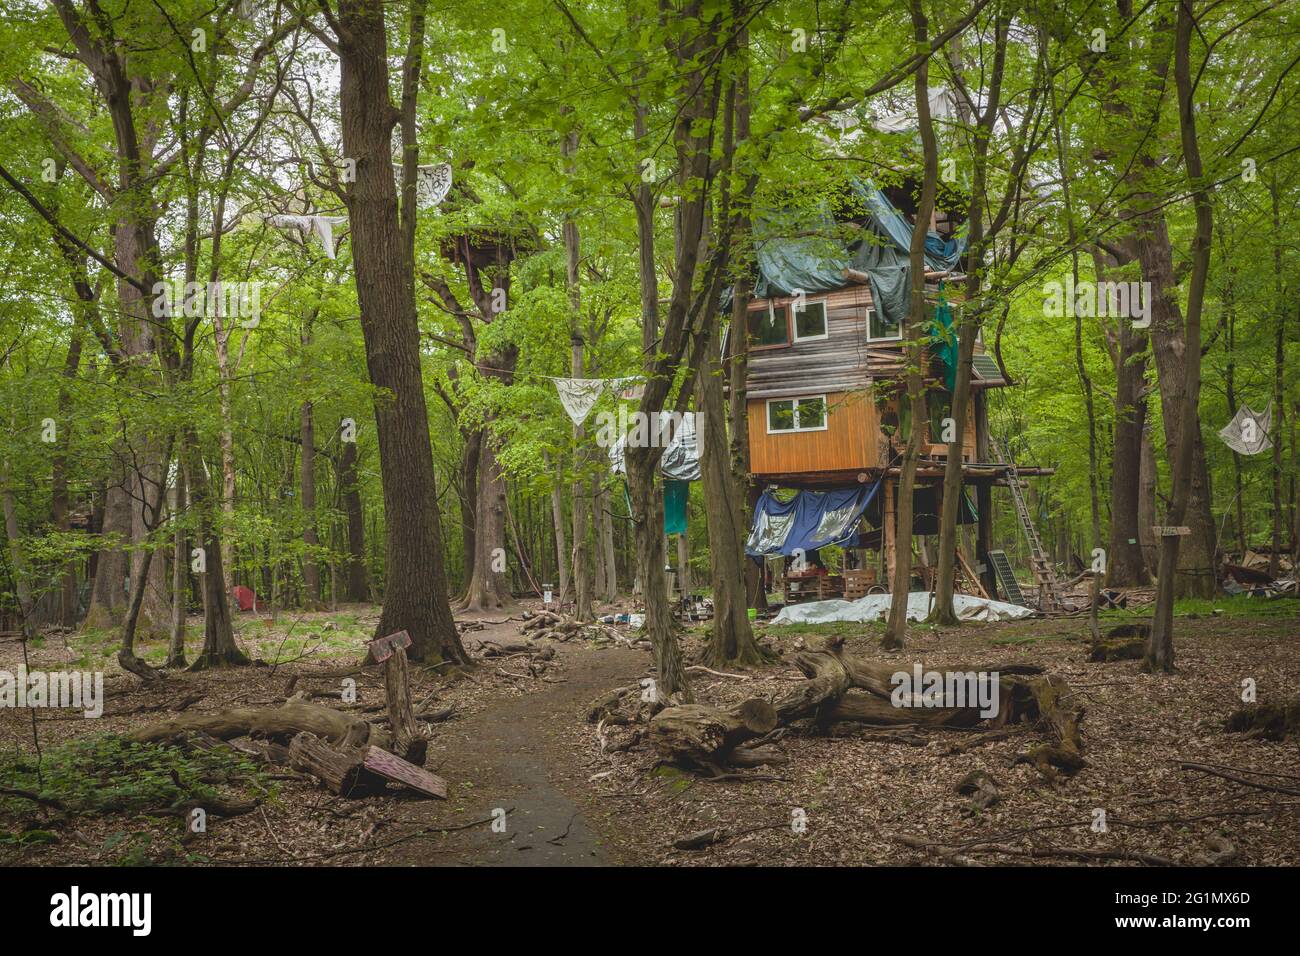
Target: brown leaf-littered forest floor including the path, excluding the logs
523 746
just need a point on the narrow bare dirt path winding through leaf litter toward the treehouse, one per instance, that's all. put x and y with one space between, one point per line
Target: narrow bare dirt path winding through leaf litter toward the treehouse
514 755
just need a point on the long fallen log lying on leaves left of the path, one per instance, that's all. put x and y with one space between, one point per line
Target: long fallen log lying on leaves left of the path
280 724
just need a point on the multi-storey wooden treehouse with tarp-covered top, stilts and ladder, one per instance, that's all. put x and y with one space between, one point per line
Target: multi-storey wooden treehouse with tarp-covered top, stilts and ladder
829 414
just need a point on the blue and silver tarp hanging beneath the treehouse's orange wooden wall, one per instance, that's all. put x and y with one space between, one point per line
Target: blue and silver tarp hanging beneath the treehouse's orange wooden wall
809 521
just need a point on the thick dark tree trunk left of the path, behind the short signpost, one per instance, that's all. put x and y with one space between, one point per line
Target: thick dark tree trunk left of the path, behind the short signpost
415 595
